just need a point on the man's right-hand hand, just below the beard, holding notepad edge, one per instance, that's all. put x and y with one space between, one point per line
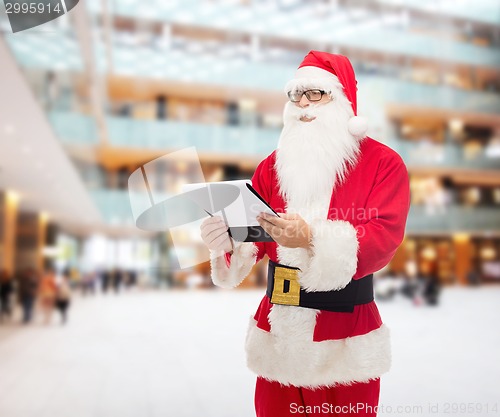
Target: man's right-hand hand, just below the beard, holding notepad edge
288 230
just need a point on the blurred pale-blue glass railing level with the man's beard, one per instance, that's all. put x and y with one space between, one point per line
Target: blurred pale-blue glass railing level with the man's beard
239 141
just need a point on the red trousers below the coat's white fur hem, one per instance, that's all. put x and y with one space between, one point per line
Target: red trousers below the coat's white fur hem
275 400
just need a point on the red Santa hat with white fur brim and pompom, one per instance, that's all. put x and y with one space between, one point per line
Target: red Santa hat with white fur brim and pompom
330 73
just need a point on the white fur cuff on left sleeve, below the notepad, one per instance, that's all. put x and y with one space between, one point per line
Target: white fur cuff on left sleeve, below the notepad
242 260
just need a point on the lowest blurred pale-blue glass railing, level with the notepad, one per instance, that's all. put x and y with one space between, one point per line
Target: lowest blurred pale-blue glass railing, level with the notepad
115 208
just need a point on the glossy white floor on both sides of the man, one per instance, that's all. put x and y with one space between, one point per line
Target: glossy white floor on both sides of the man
180 354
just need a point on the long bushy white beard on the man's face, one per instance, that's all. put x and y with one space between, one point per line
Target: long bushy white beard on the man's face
312 158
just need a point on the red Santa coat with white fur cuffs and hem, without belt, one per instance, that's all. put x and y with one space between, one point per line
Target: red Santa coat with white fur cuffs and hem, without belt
357 236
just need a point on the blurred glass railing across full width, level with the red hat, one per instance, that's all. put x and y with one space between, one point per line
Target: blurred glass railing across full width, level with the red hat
240 72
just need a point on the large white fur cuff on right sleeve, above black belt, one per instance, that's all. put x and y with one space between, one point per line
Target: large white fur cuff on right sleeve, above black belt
334 260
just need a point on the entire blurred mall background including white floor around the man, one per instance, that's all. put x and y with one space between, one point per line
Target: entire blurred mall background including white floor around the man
88 99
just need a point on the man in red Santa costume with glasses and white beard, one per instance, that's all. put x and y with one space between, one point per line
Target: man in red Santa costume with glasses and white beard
317 342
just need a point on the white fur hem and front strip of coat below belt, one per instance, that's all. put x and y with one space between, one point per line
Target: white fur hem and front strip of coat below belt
289 355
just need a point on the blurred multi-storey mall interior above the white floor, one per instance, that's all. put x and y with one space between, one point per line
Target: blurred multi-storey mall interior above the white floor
96 94
